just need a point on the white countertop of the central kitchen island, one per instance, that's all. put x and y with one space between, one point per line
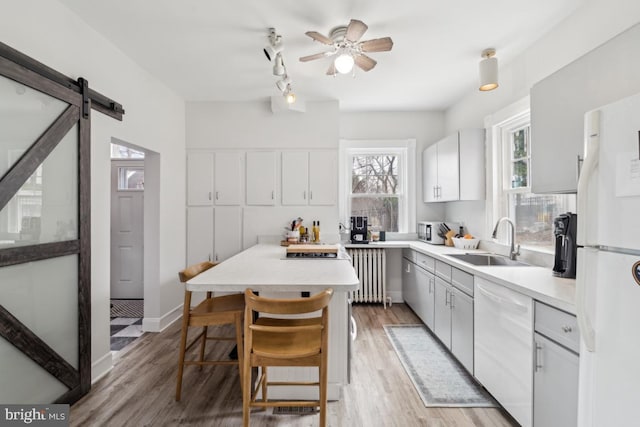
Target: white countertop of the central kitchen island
262 268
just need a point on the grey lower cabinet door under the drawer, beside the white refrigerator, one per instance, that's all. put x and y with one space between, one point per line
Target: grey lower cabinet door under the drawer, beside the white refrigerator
555 385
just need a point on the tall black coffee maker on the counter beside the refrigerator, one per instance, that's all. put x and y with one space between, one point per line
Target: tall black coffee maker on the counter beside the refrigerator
564 230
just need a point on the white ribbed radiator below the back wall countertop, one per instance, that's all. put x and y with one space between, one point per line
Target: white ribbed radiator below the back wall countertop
370 266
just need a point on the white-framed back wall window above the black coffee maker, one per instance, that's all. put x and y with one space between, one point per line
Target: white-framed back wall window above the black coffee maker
376 181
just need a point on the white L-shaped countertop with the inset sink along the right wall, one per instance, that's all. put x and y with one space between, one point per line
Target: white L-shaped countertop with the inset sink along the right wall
536 282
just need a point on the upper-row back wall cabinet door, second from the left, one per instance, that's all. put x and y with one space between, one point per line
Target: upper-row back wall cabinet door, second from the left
228 178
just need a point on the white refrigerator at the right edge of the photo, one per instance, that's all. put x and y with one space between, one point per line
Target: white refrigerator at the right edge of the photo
608 275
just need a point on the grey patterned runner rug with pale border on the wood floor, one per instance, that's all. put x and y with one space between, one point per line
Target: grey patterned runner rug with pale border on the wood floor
439 379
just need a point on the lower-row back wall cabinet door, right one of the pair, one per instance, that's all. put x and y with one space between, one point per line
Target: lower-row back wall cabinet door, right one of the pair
228 232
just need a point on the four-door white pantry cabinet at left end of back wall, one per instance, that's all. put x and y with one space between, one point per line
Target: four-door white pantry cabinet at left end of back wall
214 198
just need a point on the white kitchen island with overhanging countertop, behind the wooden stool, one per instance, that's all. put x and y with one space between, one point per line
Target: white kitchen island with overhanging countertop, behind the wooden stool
265 269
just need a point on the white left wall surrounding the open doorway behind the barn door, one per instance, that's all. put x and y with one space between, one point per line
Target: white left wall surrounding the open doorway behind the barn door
154 119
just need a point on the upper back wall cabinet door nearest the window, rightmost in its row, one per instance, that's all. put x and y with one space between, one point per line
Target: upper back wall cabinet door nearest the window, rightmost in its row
323 178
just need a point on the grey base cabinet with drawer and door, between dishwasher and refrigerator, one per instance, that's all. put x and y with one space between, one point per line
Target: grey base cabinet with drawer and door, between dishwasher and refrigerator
556 368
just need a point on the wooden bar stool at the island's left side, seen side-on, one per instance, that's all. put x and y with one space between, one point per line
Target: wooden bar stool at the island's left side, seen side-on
213 311
